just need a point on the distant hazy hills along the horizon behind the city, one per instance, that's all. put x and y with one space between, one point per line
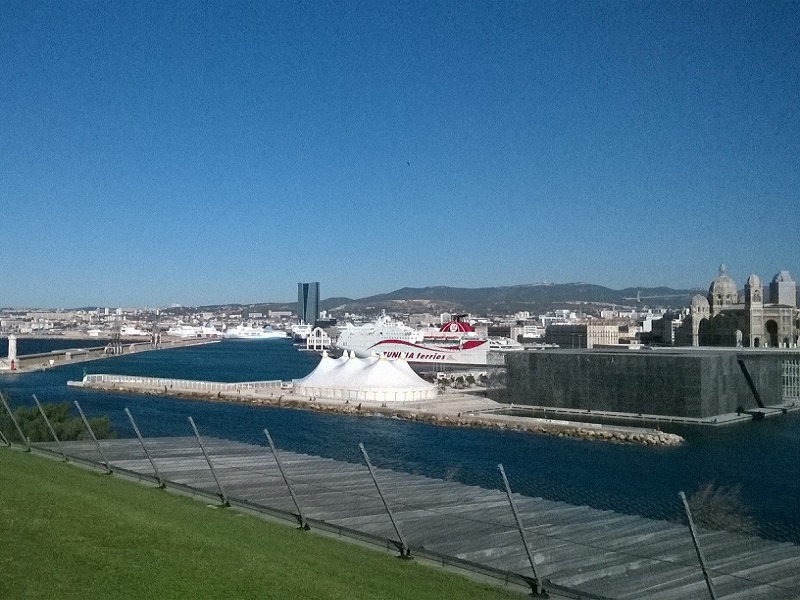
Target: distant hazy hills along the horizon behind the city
535 298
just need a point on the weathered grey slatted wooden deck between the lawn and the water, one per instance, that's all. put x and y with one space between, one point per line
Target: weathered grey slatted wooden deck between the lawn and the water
578 551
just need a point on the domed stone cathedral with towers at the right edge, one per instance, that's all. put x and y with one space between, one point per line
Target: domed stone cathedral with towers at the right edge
727 317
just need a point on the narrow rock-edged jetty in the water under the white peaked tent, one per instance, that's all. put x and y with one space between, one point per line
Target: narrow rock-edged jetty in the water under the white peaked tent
450 410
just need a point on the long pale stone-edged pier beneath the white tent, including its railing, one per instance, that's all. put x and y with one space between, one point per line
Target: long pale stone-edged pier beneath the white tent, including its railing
451 410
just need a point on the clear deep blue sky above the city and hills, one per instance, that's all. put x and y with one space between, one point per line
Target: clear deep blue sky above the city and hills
209 152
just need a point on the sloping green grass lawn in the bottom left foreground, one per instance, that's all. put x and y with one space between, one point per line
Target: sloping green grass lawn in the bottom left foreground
66 532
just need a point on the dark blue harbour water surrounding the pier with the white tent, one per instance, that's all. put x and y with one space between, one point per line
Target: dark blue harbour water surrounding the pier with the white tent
762 459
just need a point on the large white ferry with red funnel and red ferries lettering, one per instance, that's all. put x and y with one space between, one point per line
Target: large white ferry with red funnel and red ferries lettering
454 343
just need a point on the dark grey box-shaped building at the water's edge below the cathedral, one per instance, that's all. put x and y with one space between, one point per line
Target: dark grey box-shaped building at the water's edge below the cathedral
687 384
